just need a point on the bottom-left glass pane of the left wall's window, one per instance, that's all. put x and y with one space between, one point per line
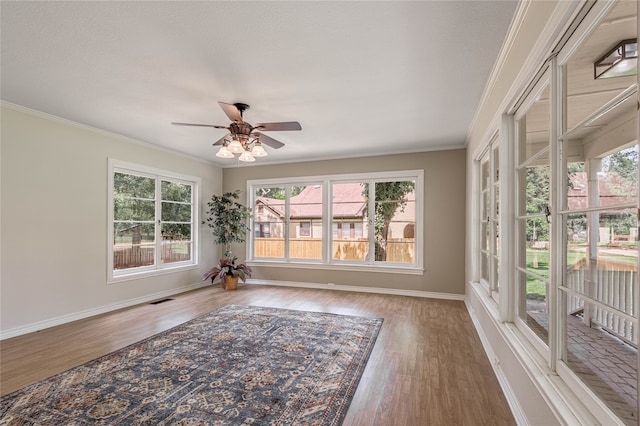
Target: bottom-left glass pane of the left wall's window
133 245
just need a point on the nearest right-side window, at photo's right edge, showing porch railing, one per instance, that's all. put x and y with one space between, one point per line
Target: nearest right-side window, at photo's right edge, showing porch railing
598 283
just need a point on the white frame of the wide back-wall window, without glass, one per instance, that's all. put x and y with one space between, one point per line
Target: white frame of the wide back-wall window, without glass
326 262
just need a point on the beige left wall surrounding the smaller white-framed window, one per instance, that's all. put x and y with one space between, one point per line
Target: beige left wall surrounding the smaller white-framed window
54 219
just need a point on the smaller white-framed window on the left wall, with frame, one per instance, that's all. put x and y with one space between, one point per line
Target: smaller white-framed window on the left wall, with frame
152 220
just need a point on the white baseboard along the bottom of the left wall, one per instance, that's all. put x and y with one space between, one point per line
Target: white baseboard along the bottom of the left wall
41 325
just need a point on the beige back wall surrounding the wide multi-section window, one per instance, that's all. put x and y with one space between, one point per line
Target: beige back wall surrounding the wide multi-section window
444 235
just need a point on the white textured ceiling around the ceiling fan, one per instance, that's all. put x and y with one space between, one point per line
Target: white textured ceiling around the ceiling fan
361 77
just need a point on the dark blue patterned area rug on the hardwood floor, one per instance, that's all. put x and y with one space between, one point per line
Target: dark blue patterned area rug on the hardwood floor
234 366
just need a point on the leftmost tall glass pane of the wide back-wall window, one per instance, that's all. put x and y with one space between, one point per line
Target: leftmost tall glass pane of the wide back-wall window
269 222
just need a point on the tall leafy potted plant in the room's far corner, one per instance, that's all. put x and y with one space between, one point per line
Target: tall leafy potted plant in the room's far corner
227 219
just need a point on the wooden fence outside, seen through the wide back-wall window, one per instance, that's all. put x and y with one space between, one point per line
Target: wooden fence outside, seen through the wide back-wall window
400 250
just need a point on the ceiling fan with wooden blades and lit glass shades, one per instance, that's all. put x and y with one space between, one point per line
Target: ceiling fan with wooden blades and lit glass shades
245 138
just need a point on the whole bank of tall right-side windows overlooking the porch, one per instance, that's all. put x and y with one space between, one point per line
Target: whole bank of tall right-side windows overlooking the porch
570 157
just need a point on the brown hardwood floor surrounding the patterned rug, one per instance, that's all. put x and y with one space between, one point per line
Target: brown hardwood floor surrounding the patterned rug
427 367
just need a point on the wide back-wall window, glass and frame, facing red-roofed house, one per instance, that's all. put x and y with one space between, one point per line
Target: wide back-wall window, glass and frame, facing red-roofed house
328 220
